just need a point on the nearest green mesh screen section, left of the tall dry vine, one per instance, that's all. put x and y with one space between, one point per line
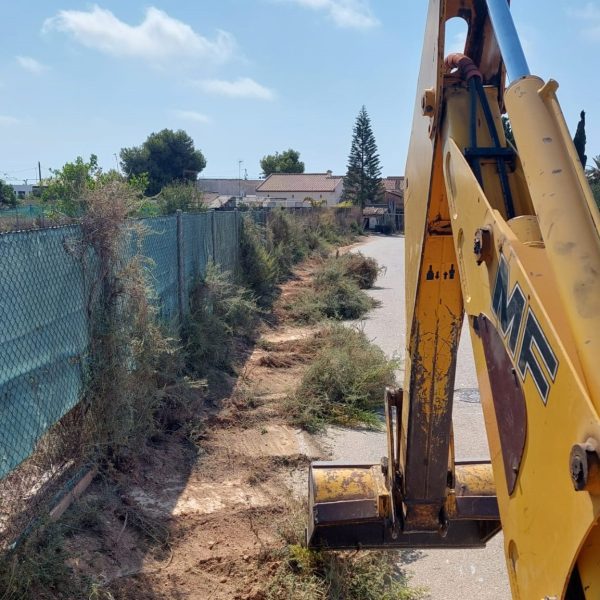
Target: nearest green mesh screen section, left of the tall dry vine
43 335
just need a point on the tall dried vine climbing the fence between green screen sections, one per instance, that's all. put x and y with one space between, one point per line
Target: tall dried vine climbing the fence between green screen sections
130 356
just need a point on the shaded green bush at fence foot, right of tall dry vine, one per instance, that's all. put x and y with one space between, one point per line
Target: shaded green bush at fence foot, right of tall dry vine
220 312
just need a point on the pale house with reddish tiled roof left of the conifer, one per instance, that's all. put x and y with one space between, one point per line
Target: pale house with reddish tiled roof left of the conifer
301 189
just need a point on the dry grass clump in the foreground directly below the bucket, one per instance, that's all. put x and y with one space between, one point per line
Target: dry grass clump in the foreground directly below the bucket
306 574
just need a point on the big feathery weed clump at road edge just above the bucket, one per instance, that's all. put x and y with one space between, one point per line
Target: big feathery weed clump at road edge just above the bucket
344 383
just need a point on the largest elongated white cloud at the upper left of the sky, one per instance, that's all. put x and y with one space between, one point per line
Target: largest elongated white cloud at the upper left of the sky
158 38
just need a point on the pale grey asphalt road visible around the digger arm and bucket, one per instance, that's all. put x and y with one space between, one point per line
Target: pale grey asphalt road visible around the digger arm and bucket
448 574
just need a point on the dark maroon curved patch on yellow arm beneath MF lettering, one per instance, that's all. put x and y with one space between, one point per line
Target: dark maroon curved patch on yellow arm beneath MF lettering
508 399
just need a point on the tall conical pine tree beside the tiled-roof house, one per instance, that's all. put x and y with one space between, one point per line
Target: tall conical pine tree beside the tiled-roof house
362 184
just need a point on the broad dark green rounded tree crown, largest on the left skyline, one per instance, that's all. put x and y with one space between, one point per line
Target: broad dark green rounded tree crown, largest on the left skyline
165 157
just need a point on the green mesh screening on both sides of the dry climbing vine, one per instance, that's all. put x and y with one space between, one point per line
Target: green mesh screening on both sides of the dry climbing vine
44 294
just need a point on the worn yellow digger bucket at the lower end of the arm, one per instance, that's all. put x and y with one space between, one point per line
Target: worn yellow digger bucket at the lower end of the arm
361 505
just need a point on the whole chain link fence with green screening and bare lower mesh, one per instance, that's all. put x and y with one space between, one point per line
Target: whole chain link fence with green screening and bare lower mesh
47 285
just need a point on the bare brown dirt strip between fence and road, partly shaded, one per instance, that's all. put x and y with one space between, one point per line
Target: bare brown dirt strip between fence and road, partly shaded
215 505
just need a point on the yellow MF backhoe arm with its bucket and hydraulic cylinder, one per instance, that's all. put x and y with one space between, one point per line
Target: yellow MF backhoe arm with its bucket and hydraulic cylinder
507 236
